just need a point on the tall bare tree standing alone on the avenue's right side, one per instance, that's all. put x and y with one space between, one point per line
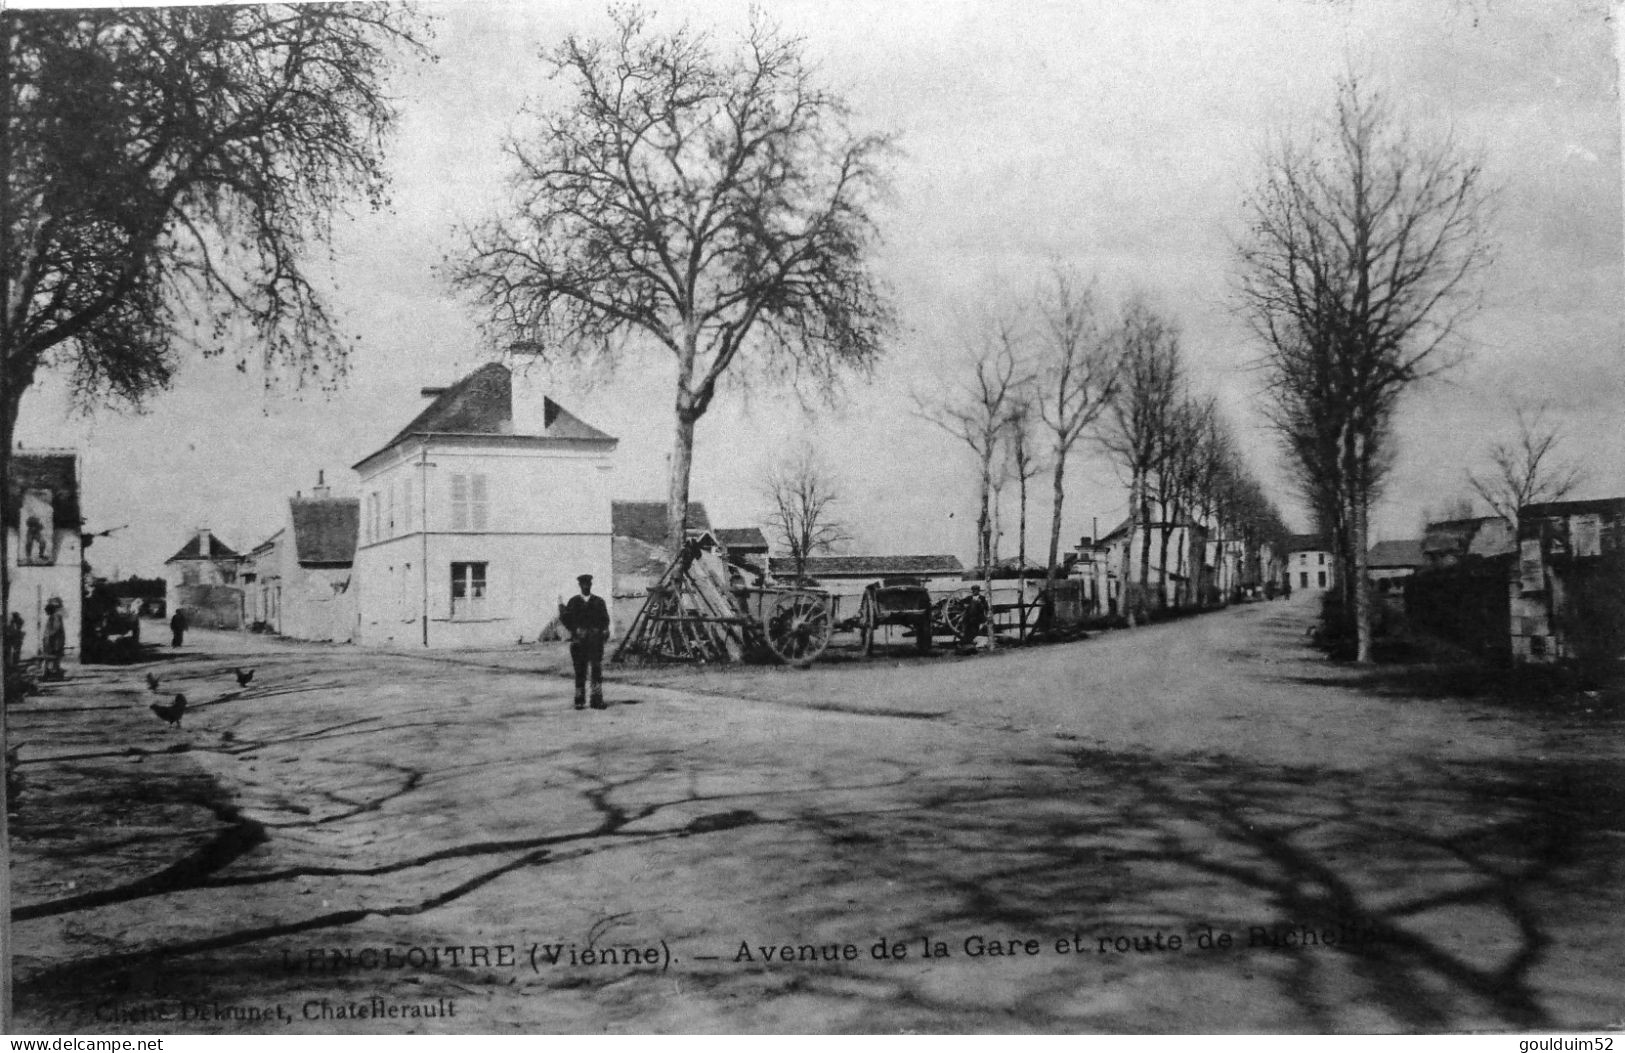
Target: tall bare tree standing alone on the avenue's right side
1363 249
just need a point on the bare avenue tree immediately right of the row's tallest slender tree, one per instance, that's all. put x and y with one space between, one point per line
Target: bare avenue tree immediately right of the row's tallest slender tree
1138 427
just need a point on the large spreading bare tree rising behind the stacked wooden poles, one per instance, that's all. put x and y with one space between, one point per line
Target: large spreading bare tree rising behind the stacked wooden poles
716 206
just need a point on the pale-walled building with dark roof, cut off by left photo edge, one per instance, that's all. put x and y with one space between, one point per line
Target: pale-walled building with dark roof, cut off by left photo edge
43 518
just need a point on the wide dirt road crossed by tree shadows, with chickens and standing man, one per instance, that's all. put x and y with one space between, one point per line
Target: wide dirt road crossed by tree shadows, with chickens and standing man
1198 826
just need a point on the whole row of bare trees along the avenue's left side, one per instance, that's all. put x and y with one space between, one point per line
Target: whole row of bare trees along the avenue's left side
1062 371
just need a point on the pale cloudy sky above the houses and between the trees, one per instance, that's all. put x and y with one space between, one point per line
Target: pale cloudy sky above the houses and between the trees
1116 139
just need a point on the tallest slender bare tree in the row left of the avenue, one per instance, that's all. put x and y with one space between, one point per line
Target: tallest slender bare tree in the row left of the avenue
1080 373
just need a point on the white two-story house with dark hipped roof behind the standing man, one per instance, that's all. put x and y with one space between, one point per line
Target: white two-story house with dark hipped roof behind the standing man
479 516
